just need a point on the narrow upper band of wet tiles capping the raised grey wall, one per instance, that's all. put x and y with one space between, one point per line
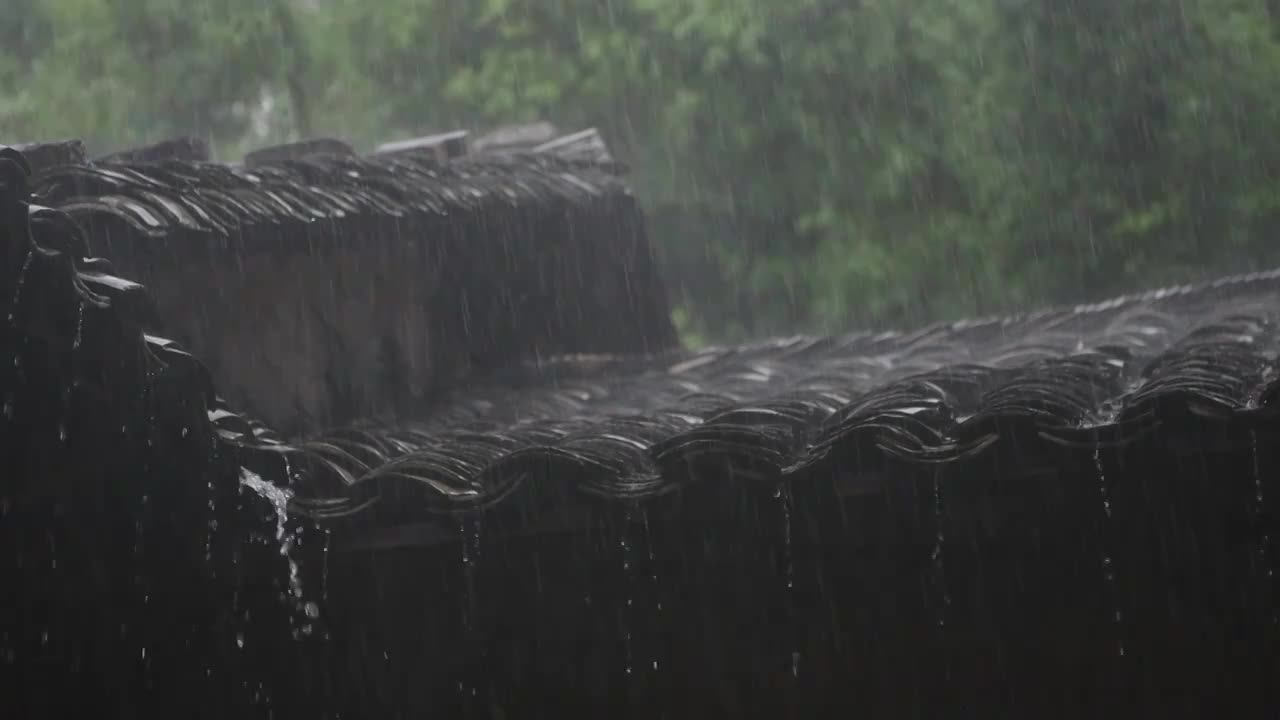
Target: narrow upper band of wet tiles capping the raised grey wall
324 186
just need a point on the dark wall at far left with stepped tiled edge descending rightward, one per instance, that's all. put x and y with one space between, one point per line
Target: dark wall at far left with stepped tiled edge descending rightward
140 580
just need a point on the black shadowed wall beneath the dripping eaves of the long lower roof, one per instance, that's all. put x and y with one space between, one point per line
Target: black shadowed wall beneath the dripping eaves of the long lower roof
994 589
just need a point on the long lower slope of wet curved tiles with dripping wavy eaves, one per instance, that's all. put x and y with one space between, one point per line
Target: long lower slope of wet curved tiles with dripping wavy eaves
1077 377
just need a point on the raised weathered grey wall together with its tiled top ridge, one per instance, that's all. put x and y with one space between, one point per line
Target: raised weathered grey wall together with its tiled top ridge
312 280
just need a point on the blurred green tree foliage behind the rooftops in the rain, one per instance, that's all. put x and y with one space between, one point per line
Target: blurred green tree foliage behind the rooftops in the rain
807 163
